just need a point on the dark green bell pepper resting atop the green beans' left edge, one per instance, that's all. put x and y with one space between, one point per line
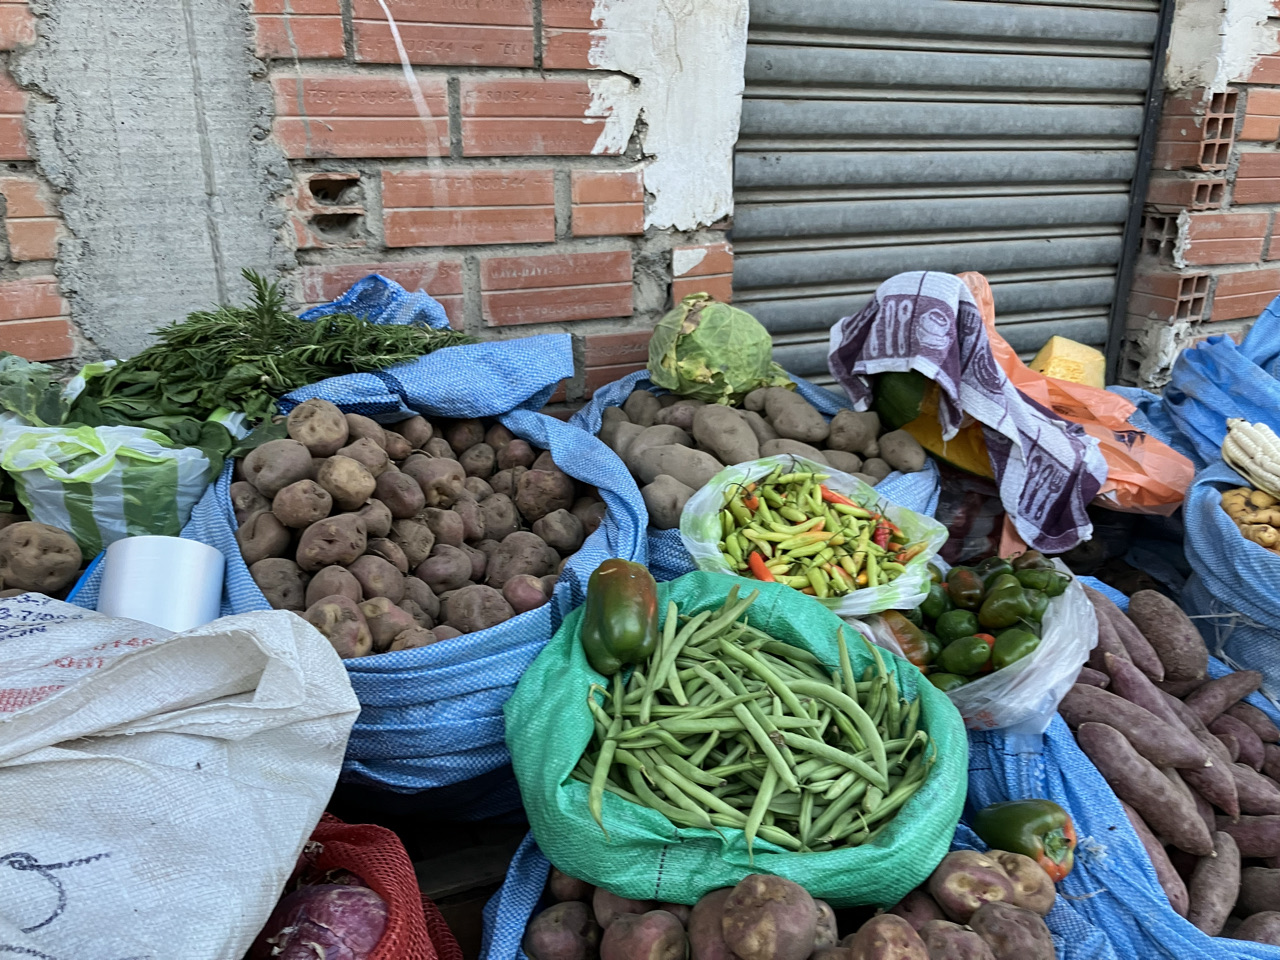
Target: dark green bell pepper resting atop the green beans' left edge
620 623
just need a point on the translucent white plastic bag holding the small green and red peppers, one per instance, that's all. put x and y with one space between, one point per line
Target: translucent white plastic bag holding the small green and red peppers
1023 697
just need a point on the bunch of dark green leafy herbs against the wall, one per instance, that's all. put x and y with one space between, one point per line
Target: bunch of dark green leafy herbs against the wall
241 359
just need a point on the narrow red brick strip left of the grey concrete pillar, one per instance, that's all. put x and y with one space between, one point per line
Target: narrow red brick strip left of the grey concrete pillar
34 317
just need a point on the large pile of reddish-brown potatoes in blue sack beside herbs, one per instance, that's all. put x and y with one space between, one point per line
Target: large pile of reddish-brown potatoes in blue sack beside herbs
400 537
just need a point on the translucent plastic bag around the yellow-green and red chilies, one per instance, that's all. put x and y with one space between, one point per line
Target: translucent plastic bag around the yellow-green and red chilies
701 533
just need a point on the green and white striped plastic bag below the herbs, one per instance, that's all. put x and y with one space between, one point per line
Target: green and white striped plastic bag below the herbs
106 483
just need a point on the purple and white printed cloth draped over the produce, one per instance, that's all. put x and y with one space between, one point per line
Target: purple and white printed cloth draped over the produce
1048 469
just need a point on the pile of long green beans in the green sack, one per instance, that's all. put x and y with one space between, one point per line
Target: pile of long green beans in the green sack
726 726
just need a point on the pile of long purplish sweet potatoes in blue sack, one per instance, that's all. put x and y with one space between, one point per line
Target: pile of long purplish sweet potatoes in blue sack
1195 766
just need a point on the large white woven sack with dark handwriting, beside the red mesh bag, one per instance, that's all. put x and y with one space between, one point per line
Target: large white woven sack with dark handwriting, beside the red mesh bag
157 789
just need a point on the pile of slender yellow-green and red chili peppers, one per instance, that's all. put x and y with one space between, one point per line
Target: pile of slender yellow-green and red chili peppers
790 528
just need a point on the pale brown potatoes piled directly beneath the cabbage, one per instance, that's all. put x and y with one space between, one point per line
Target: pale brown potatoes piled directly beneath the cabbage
674 445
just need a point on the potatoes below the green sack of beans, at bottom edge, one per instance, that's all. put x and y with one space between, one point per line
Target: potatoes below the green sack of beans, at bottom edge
1002 897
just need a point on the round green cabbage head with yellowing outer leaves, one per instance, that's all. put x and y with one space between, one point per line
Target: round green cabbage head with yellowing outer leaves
714 353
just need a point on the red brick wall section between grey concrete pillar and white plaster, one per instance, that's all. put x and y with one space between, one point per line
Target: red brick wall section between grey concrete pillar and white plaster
497 204
